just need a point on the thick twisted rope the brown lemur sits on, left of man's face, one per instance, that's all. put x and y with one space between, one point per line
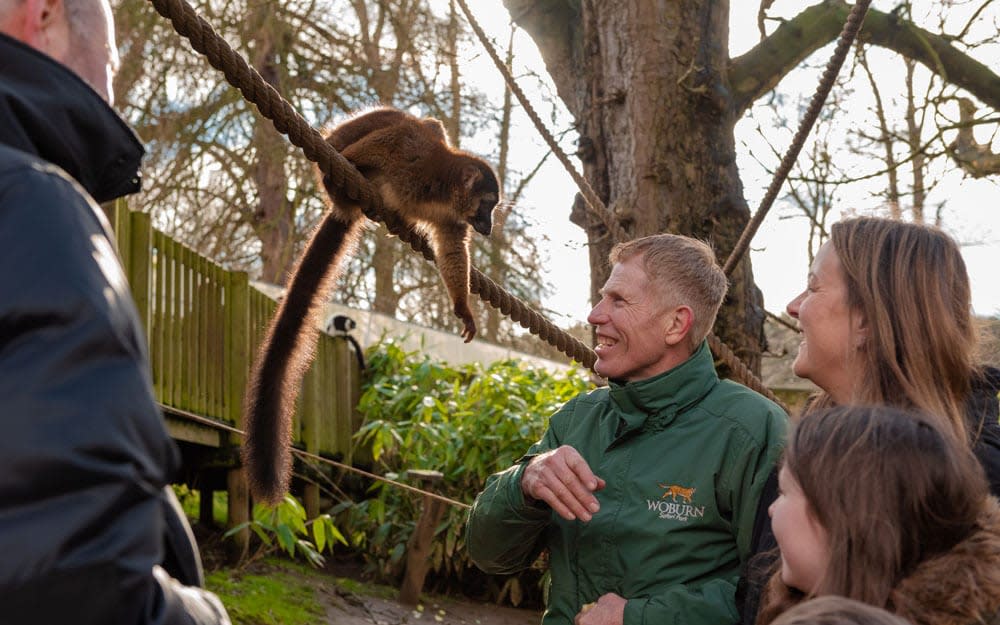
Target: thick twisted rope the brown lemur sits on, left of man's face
343 175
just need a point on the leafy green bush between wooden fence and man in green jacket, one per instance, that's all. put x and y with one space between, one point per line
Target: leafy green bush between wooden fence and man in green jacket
466 422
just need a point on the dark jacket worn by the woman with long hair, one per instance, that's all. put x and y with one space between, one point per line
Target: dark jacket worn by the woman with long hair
982 412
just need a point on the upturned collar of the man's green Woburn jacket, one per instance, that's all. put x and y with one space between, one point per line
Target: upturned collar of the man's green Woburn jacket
662 397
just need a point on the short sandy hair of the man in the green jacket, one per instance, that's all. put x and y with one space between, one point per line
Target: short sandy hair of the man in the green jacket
686 274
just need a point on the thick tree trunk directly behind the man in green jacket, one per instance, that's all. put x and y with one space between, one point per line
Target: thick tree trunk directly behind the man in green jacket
647 85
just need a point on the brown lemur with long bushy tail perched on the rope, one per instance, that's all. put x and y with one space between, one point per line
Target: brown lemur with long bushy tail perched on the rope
430 185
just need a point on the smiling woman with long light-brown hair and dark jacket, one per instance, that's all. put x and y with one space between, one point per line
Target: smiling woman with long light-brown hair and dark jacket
886 319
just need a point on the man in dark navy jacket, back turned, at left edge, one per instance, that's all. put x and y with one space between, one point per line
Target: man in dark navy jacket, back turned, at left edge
90 532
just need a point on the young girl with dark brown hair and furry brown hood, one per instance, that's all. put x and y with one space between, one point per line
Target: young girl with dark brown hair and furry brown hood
880 506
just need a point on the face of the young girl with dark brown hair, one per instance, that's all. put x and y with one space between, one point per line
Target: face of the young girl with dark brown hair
804 545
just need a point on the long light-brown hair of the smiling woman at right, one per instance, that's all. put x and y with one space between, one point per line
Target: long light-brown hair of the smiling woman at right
910 285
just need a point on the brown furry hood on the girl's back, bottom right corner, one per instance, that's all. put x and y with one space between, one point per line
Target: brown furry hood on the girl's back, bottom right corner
960 587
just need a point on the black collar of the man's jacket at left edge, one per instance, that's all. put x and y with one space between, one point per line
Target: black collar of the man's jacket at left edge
48 111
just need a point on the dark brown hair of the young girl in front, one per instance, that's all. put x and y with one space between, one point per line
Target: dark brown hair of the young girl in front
890 489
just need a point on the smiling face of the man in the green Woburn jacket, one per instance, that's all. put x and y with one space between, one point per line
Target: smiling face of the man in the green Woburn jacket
631 322
